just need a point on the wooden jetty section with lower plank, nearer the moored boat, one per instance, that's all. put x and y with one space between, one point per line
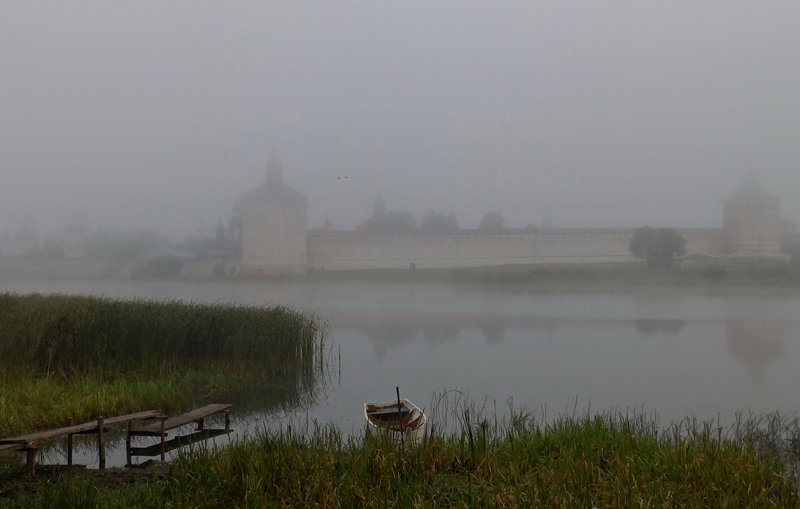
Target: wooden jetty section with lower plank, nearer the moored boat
160 430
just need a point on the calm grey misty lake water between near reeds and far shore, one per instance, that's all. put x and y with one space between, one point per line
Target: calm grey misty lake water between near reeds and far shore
674 354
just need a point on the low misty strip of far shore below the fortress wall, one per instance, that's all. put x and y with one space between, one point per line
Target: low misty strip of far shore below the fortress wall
532 277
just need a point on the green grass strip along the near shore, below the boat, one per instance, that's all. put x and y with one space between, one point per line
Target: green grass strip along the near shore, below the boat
598 461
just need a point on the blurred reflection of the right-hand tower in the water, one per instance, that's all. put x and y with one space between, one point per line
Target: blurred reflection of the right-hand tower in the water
756 342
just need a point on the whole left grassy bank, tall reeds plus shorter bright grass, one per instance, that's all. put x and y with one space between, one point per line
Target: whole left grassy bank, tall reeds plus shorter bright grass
65 357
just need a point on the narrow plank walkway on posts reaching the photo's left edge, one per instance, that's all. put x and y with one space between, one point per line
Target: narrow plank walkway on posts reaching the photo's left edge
30 441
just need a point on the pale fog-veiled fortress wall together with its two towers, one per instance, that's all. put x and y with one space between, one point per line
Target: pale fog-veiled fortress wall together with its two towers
275 240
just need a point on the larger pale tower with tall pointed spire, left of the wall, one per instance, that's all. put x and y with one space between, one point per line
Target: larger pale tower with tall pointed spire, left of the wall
274 226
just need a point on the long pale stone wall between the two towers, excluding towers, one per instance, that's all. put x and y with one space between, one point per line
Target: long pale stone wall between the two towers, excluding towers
355 250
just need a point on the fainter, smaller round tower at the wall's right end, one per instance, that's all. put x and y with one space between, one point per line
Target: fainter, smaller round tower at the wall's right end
751 221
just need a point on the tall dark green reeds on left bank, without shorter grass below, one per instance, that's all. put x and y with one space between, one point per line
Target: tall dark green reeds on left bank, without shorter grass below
70 335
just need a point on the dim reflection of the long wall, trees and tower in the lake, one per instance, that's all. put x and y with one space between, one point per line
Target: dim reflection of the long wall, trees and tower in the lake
755 342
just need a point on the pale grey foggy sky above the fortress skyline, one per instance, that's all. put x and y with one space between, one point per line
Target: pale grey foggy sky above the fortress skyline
161 114
